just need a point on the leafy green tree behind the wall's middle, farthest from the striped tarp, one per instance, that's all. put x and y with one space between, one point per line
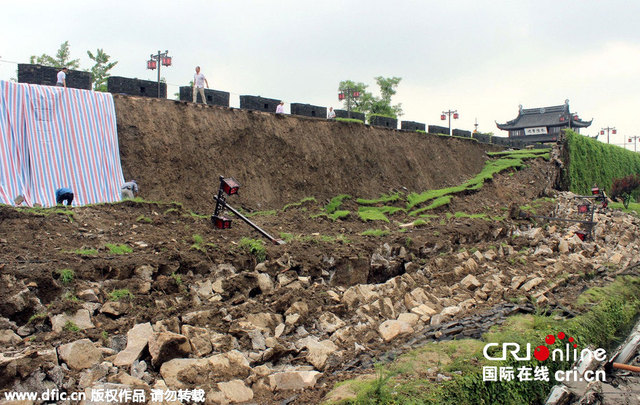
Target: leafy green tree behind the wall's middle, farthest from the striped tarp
369 104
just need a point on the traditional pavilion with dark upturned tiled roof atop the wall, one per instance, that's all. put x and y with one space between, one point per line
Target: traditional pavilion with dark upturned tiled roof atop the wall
543 124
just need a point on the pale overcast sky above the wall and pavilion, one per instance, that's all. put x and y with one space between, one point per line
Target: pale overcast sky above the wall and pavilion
481 57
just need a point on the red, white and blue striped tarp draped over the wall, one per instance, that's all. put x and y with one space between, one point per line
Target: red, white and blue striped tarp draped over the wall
53 137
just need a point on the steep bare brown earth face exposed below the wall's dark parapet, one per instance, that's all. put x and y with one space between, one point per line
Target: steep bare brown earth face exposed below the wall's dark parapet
177 150
